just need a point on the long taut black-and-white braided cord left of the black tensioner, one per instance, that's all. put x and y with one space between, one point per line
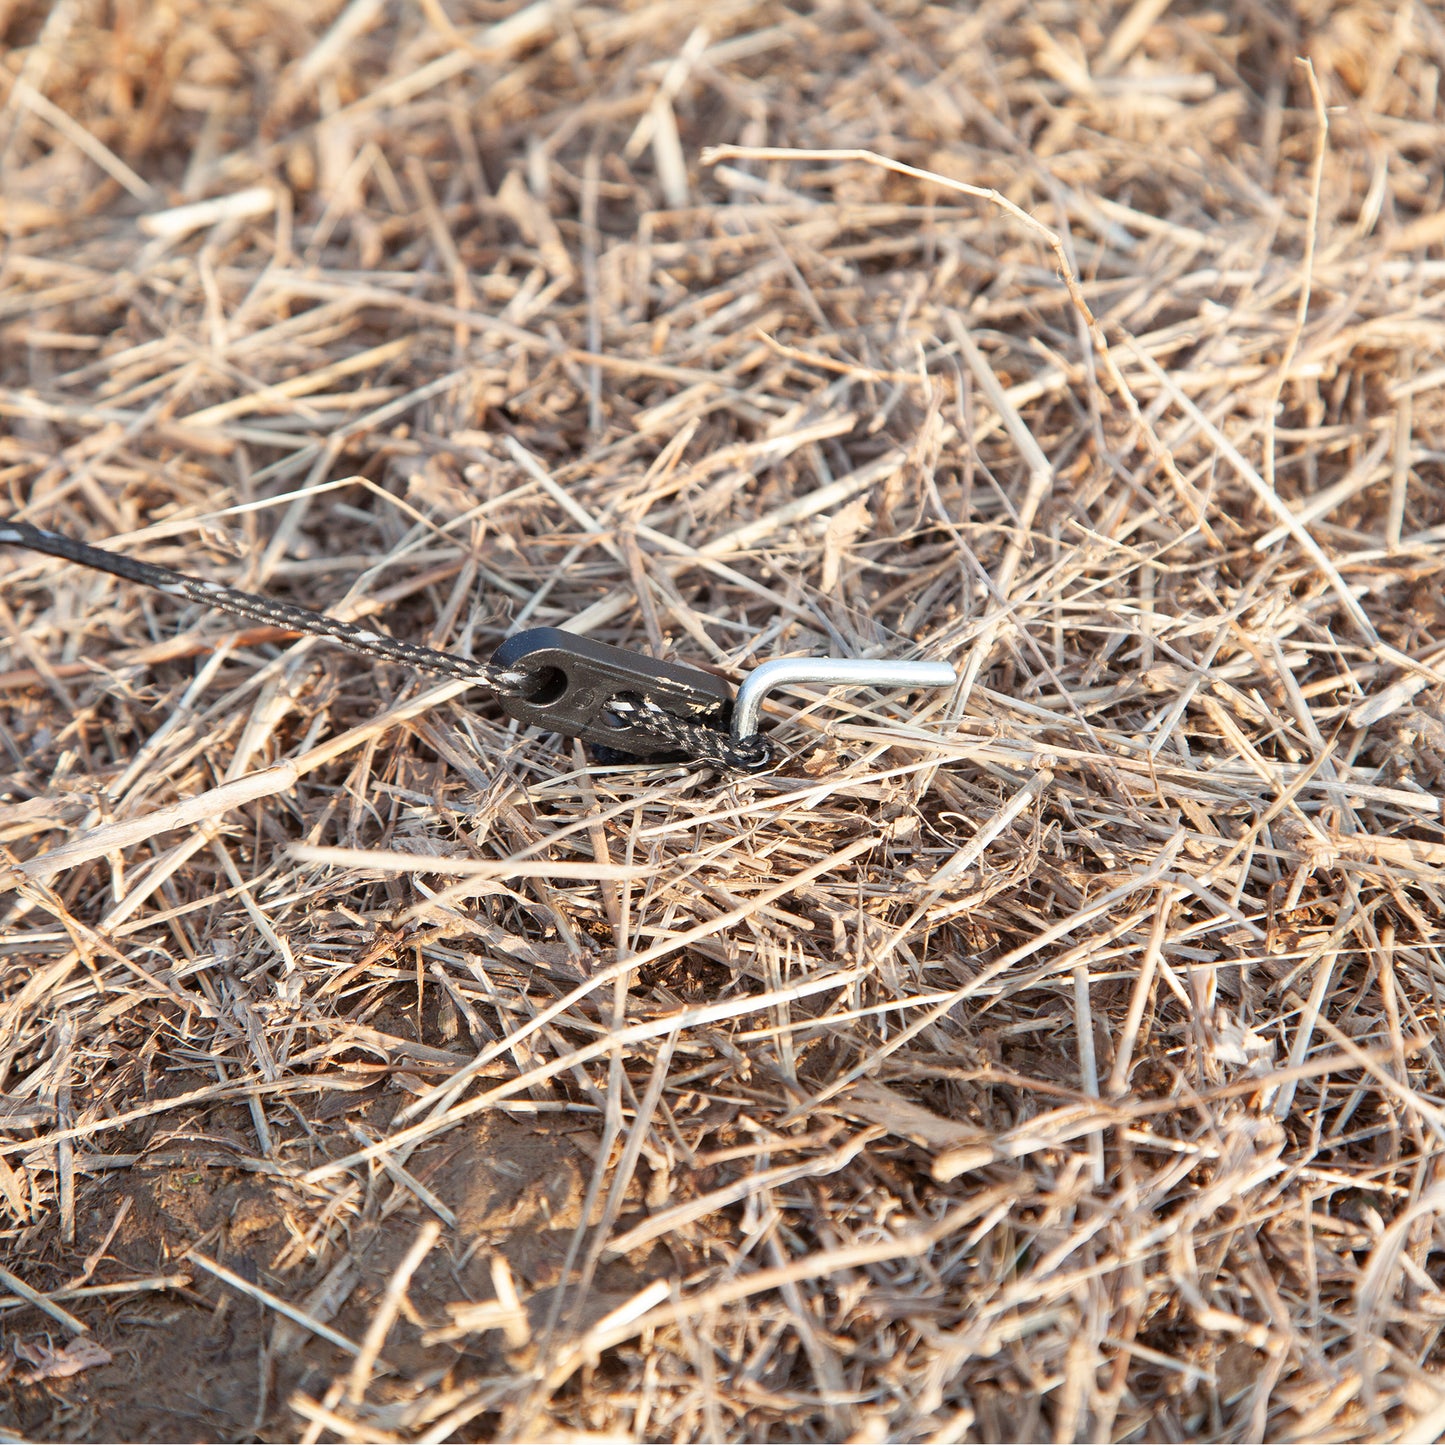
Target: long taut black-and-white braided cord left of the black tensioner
506 683
